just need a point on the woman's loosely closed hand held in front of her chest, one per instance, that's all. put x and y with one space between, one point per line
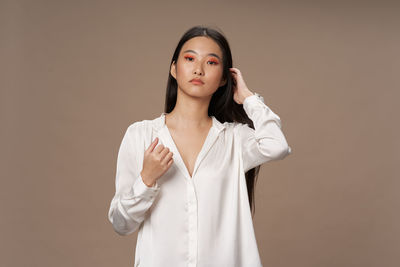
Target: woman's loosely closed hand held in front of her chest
155 163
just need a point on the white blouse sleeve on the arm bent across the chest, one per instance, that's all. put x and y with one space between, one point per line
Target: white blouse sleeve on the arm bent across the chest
133 197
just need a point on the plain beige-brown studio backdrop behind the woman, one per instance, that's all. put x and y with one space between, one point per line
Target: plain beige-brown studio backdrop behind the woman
76 74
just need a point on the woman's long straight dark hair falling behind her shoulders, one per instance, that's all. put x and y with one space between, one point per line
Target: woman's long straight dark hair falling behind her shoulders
222 106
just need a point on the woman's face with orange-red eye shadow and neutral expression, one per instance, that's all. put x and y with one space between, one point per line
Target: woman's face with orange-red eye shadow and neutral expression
199 58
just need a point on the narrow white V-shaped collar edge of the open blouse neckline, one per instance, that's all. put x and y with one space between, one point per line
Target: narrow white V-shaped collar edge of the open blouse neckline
204 148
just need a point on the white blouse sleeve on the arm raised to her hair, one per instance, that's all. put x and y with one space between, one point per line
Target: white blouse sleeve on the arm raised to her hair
266 141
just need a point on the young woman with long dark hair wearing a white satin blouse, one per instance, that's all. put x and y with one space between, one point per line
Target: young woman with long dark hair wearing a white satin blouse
185 180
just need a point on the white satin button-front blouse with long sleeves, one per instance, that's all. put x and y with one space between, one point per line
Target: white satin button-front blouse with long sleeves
203 221
